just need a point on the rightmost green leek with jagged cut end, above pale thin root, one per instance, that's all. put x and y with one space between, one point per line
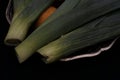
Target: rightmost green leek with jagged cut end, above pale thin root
97 31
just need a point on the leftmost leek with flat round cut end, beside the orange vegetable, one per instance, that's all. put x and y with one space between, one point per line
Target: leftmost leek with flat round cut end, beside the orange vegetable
22 20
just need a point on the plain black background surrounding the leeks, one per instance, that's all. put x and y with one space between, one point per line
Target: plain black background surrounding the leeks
104 66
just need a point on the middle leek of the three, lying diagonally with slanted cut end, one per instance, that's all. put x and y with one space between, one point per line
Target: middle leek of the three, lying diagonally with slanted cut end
64 24
